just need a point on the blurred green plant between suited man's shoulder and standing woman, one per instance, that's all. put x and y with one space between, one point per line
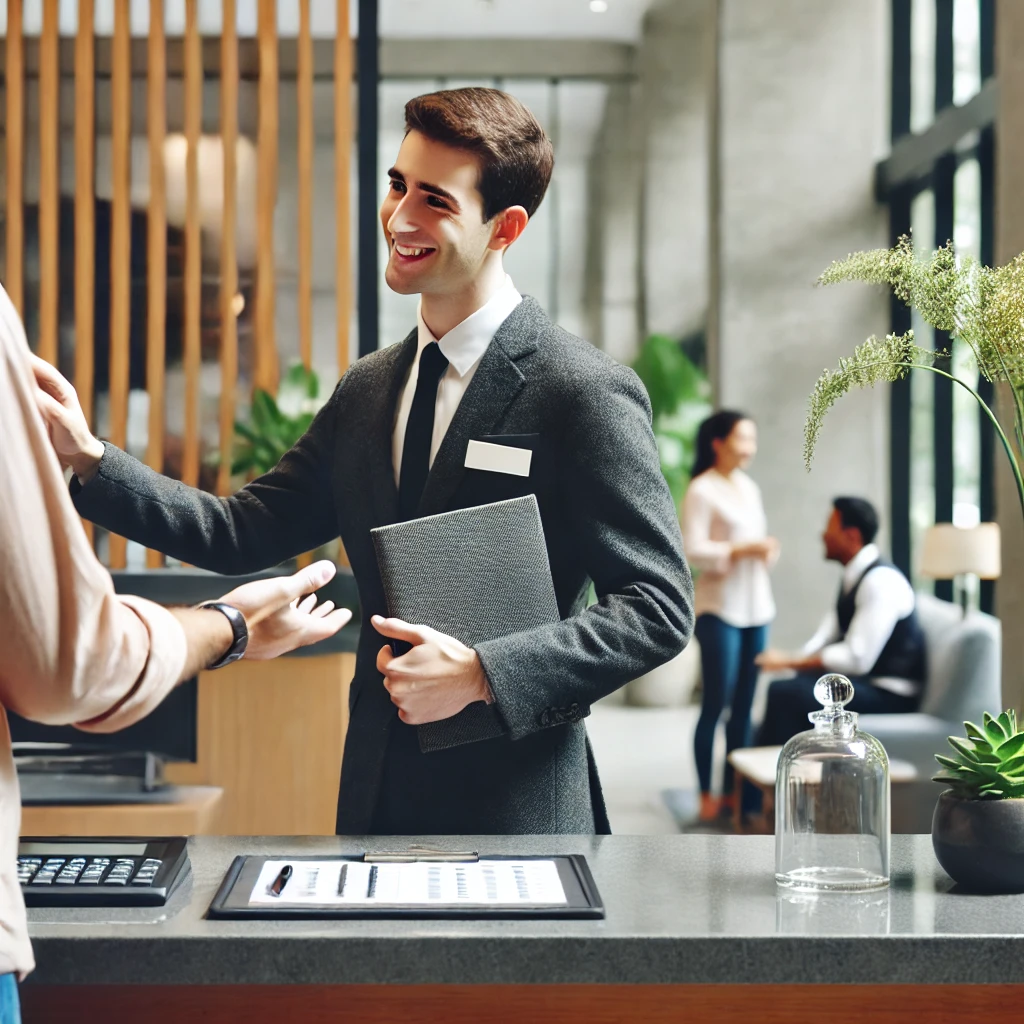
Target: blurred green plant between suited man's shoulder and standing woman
680 399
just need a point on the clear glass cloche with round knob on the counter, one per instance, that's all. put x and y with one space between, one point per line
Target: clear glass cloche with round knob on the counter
832 801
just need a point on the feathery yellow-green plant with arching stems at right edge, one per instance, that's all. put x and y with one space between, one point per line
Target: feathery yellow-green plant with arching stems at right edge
982 307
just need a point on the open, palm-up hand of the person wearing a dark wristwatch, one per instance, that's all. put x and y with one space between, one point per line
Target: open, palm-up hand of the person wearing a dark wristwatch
280 620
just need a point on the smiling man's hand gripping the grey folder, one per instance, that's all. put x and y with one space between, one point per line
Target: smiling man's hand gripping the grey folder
437 679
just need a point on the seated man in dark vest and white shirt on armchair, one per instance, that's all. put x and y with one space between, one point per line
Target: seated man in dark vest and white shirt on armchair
873 635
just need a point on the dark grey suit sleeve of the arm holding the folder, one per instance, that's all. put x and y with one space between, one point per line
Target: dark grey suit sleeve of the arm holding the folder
622 515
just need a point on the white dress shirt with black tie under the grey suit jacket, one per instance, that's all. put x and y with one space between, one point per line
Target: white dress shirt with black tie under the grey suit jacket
463 347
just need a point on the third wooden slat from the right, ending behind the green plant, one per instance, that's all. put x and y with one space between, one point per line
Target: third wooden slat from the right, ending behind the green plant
266 363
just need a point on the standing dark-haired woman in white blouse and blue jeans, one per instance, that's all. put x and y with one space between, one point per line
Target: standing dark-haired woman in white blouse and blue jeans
726 536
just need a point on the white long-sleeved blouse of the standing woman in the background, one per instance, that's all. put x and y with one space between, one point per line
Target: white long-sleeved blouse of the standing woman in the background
719 513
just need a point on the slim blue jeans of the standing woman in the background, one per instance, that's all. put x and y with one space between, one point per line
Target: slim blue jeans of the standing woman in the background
728 655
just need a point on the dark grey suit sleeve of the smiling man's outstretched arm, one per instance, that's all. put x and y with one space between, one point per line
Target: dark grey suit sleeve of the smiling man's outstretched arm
279 516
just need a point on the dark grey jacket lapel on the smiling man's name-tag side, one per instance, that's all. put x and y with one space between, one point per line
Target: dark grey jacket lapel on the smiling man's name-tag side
497 381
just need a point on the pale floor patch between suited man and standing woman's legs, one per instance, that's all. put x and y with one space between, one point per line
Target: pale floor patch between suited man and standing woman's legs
641 752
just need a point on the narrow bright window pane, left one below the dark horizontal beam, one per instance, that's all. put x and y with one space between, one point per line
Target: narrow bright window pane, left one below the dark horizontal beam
922 403
